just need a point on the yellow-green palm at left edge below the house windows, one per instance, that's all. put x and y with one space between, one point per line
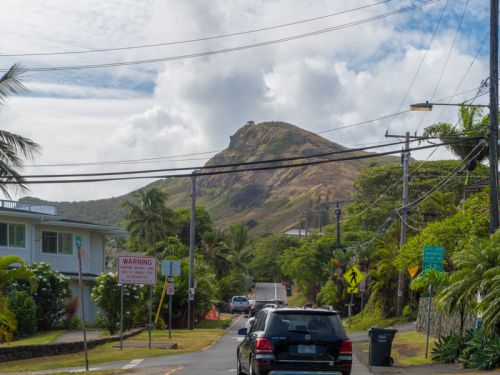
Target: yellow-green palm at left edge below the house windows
8 322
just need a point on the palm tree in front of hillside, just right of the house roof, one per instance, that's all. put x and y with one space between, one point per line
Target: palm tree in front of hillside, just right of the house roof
149 219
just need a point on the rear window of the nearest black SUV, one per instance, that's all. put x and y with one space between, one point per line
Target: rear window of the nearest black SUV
289 323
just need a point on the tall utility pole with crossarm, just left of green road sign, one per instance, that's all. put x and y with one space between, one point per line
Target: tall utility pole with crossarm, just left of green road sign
404 212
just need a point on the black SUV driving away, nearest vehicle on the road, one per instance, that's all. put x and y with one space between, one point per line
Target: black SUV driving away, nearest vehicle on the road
295 341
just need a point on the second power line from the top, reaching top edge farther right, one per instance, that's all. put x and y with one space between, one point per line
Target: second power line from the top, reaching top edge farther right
234 49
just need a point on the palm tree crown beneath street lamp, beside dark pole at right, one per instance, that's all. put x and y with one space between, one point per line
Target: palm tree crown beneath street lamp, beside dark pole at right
471 123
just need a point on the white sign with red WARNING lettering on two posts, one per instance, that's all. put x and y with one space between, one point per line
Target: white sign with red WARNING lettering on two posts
138 270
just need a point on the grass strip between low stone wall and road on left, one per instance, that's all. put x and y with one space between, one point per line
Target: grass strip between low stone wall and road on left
187 341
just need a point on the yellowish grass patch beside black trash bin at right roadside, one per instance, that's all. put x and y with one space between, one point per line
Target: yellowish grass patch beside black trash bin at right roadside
408 348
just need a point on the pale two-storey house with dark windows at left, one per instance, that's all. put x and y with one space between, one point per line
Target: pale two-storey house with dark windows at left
36 233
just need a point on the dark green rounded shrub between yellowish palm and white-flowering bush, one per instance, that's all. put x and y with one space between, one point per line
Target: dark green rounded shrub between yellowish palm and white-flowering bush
24 307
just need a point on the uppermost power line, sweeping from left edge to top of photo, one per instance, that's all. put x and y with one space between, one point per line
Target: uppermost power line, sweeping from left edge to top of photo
95 50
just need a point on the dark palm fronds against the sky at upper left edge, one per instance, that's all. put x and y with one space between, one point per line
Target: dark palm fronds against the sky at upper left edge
13 147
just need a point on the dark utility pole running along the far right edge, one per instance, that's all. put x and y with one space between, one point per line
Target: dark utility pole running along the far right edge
493 136
